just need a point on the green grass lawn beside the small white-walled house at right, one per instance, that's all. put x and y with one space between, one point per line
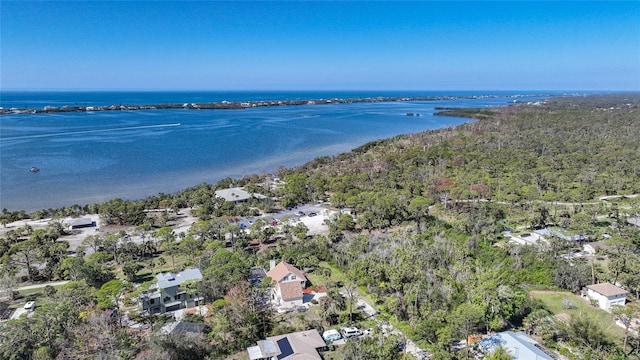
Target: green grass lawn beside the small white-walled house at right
553 302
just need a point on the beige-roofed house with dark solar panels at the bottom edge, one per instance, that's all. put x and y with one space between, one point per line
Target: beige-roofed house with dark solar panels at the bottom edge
298 345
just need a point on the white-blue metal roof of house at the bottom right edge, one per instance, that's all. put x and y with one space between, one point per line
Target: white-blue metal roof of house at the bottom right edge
519 345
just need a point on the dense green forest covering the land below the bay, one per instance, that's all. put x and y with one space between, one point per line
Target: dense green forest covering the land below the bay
427 243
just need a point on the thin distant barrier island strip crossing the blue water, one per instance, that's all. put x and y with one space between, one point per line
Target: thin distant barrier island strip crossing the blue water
239 105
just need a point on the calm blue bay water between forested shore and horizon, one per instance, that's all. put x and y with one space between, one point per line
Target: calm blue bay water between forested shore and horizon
92 157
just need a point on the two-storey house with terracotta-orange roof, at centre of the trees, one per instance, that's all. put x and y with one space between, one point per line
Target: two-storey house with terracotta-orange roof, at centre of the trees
289 282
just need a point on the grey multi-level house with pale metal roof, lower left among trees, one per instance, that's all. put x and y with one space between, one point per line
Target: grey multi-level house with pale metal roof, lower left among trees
169 292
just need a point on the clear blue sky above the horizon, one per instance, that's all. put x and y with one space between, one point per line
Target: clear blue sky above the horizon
207 45
